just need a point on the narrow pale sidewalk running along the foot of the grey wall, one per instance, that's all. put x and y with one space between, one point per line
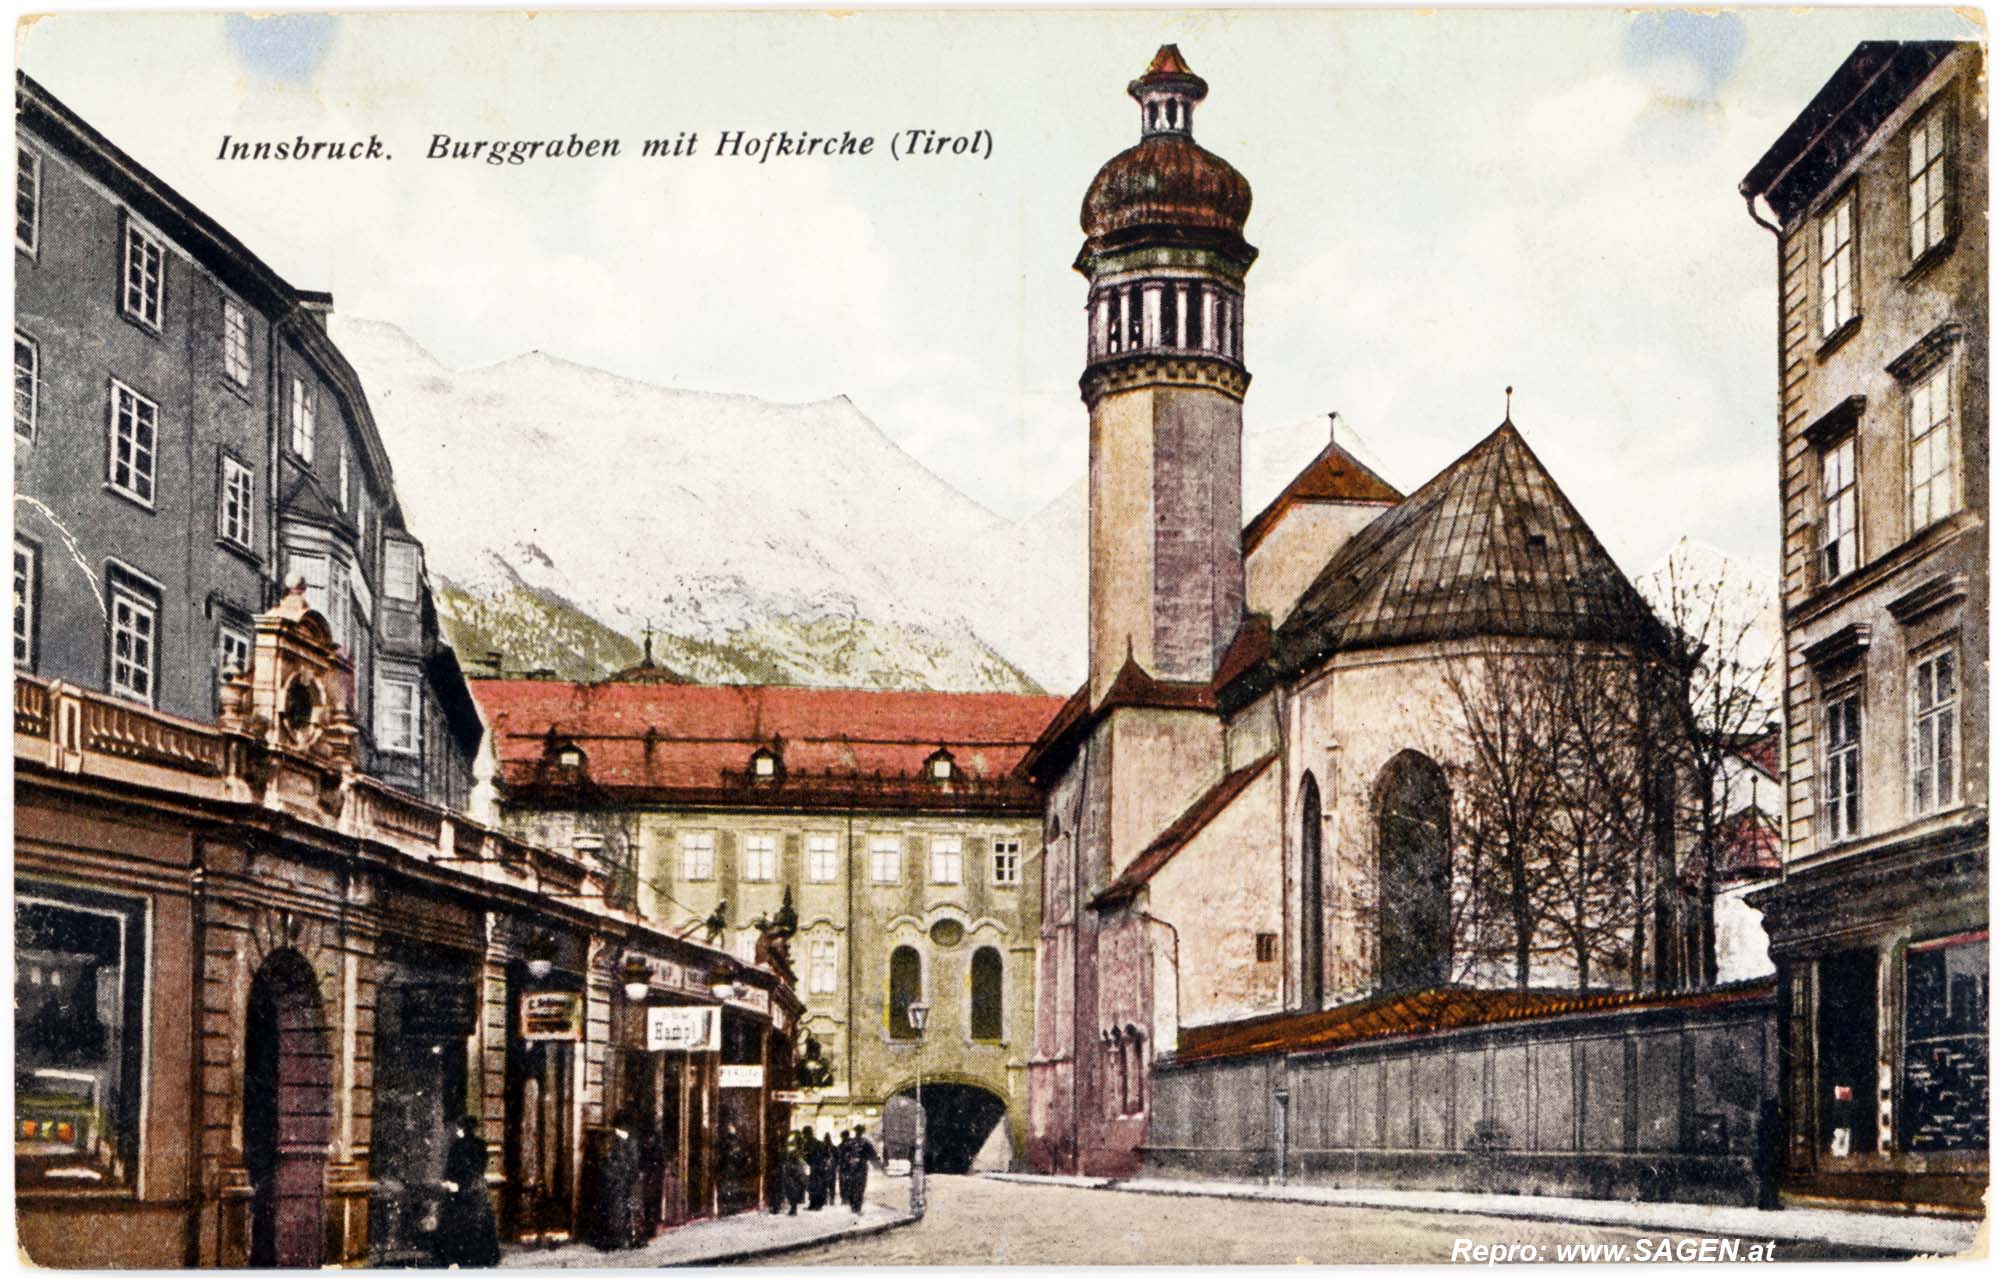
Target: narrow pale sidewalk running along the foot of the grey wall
1919 1235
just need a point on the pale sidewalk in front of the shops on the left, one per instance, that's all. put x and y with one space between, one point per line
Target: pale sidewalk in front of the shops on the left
731 1239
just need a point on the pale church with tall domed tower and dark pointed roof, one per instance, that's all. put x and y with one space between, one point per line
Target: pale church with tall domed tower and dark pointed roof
1251 803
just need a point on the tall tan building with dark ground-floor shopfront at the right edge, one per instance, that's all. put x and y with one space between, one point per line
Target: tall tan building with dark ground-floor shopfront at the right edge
1879 927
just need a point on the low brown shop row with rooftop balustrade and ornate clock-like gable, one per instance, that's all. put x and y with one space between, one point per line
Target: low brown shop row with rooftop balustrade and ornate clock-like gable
257 989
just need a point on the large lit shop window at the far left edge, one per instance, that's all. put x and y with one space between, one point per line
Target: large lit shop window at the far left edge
77 1037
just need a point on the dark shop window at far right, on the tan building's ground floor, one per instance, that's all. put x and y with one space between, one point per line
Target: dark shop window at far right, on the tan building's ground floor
1945 1047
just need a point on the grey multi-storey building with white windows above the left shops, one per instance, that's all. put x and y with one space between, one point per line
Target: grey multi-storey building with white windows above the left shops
187 439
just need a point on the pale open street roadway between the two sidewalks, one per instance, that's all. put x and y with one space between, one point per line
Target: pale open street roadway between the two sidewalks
993 1223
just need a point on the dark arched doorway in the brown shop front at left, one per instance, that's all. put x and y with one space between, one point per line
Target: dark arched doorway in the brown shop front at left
287 1115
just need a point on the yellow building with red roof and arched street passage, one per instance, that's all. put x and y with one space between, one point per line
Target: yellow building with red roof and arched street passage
883 827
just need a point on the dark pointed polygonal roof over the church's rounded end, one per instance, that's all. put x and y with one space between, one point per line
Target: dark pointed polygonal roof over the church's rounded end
1489 547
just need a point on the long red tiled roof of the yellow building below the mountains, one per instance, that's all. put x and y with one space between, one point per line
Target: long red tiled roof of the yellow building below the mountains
691 741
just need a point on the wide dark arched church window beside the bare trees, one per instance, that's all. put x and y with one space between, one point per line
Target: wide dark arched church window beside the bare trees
1413 875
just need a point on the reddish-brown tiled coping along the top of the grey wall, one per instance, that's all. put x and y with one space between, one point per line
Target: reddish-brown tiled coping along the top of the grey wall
1433 1011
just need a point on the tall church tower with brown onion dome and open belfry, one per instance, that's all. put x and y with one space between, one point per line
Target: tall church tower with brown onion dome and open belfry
1165 383
